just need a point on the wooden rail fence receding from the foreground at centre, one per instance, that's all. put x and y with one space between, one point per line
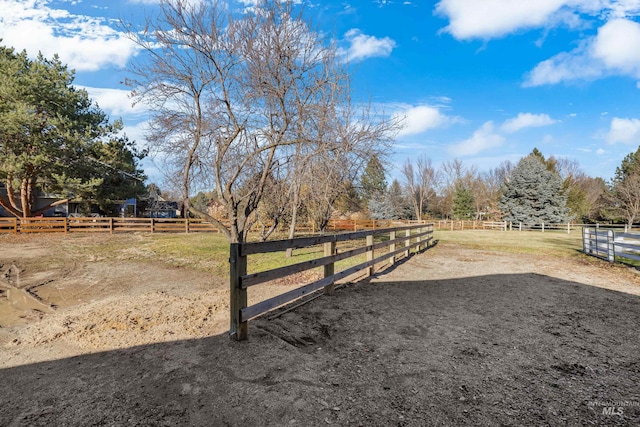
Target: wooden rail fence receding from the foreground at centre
240 281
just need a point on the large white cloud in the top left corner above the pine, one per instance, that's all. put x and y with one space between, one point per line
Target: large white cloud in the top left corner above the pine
84 43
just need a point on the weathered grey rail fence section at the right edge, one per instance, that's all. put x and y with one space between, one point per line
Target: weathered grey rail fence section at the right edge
611 245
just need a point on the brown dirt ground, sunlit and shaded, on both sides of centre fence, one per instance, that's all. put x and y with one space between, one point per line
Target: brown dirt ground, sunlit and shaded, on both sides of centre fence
452 336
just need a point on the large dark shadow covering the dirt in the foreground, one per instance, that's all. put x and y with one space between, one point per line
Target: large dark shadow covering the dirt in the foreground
519 349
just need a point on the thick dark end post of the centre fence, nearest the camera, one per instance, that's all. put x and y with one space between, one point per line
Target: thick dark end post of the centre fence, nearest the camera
238 268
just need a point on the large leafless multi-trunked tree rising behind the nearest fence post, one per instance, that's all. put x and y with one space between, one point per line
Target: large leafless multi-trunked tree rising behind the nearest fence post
234 95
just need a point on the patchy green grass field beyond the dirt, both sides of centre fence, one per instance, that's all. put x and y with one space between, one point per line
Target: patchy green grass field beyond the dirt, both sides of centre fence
209 252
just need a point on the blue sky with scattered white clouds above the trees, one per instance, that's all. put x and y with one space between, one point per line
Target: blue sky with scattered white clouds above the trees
478 80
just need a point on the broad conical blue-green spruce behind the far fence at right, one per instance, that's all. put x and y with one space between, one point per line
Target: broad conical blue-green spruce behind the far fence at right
534 194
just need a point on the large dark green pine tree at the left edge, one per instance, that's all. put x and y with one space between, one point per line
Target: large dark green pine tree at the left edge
52 137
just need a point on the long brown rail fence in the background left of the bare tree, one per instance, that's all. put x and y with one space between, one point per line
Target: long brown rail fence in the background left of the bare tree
105 225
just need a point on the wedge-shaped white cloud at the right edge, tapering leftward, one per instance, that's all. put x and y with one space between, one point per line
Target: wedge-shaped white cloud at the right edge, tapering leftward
614 50
